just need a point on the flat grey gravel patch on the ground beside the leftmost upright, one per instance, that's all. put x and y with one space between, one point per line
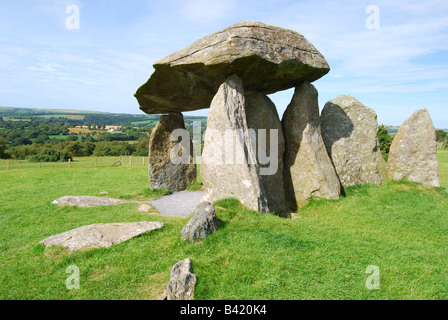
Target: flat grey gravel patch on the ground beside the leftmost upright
178 204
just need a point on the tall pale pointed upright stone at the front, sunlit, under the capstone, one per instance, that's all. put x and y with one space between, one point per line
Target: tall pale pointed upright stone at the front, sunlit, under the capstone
229 167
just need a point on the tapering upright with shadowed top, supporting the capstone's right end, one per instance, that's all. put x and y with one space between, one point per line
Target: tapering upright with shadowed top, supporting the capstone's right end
308 172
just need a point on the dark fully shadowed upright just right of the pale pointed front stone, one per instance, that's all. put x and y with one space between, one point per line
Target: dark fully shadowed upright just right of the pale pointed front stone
263 119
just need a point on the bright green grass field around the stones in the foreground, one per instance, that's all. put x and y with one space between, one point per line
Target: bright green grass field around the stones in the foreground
323 253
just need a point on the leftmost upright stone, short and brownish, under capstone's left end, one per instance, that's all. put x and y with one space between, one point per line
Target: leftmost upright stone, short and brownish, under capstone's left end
163 172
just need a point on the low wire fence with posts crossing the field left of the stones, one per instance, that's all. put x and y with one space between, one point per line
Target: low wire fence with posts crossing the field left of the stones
84 162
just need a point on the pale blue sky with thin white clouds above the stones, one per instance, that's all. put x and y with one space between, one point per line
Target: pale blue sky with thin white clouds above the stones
94 54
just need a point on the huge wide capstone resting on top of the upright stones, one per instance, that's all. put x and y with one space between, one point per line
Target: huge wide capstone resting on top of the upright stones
266 58
